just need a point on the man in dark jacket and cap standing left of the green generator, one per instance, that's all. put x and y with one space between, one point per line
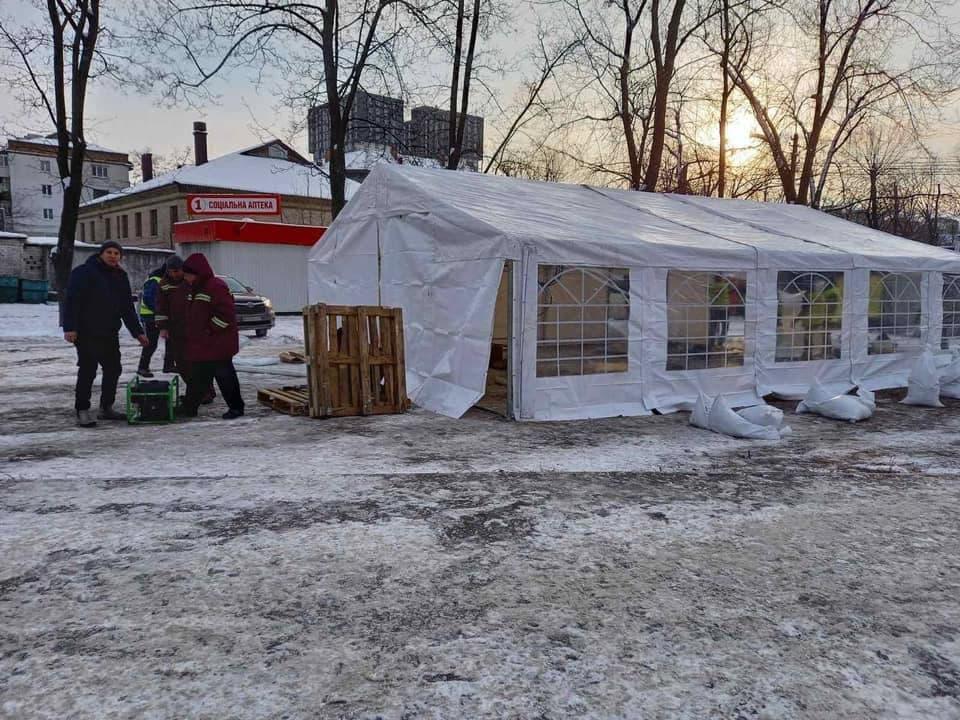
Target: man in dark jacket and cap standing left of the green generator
98 299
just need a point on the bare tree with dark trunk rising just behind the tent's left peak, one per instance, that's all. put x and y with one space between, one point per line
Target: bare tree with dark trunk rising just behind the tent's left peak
186 46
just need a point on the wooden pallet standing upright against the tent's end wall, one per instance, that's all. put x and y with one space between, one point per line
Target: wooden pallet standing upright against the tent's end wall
355 360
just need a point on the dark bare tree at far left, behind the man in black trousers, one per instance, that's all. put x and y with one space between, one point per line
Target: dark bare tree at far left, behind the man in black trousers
49 64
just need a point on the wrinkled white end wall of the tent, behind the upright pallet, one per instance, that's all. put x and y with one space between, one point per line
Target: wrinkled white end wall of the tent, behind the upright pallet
448 304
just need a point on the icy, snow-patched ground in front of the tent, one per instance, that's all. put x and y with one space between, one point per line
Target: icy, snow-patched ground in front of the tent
418 567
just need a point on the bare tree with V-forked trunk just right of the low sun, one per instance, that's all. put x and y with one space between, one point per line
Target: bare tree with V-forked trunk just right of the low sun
809 113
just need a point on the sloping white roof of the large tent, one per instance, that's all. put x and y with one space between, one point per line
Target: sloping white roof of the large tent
635 228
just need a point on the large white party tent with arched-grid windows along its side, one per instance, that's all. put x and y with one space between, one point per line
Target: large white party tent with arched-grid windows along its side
611 302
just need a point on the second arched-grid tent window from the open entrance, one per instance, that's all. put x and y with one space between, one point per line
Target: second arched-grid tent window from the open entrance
706 320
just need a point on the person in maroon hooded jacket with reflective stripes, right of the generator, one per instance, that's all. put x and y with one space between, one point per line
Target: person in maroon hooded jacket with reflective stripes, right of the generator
211 338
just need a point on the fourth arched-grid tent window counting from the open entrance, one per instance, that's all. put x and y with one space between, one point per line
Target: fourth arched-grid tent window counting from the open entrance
895 313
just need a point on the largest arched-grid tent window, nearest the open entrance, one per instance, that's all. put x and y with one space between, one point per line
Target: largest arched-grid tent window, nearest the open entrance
582 320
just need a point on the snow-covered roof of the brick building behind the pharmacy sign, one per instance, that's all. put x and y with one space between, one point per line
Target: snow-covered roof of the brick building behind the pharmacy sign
244 173
